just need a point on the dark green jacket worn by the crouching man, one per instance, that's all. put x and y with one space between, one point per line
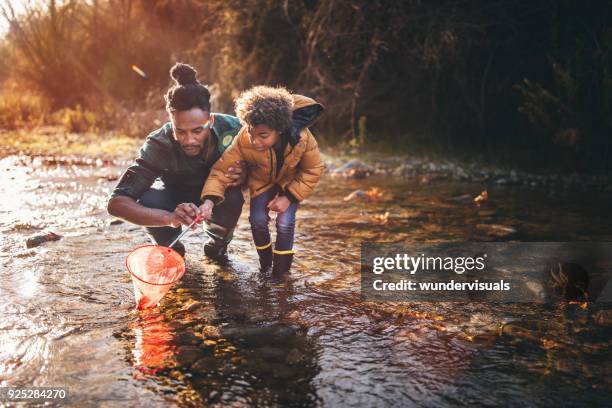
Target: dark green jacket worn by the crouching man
161 157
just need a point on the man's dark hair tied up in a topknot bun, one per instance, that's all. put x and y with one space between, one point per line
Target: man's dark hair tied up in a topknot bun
187 92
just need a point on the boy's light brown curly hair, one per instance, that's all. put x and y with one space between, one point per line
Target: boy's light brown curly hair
265 105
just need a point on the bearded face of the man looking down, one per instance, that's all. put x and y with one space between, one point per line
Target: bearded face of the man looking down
191 129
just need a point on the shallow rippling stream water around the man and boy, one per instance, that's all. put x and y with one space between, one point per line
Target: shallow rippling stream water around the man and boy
230 335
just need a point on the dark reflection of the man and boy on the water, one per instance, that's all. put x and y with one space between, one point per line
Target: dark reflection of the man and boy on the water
222 336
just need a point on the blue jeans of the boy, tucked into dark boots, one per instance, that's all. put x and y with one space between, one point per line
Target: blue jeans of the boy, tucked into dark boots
260 218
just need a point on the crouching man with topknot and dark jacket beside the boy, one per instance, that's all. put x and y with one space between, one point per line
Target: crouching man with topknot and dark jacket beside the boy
161 190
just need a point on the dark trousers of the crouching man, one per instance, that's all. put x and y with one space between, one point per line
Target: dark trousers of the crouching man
219 228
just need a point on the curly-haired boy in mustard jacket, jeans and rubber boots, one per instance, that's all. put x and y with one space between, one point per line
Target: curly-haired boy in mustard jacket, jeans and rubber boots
284 167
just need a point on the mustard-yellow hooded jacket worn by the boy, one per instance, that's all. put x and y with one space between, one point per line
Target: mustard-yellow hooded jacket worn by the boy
300 172
